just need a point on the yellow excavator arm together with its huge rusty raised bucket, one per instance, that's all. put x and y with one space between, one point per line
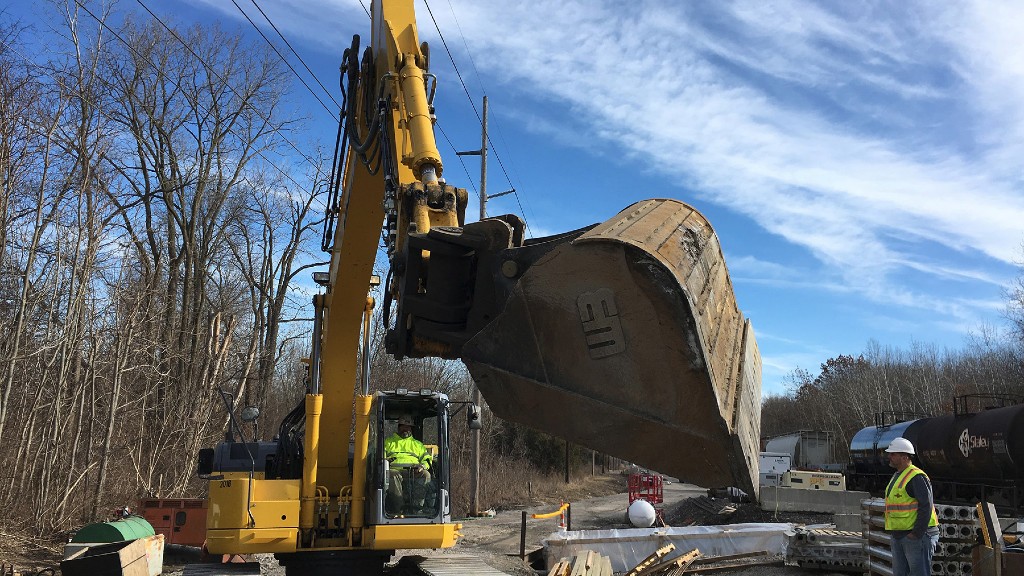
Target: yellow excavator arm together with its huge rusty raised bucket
624 338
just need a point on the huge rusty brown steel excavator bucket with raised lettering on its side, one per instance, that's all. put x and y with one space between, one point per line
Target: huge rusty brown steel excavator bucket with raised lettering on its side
628 341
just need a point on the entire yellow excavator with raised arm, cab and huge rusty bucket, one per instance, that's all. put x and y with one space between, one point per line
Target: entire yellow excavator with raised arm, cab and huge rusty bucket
624 338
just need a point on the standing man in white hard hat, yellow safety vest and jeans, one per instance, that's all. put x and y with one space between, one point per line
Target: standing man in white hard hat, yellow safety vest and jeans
911 518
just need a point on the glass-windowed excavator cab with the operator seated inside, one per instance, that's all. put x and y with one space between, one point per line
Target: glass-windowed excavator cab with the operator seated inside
408 451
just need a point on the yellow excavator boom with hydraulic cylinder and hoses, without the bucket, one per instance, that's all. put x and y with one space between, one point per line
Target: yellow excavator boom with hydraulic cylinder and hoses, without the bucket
388 171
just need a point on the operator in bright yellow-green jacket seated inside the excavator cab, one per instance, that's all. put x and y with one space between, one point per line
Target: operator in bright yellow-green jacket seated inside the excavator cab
410 468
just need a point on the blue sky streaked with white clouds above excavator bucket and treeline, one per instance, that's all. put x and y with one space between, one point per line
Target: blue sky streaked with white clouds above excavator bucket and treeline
861 161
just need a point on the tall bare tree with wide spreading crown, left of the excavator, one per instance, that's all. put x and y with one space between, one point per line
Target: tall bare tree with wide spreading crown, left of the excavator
200 106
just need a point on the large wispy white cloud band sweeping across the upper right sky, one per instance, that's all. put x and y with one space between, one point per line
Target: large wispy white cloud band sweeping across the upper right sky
714 104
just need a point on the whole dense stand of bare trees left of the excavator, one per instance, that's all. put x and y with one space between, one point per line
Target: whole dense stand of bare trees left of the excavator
125 297
